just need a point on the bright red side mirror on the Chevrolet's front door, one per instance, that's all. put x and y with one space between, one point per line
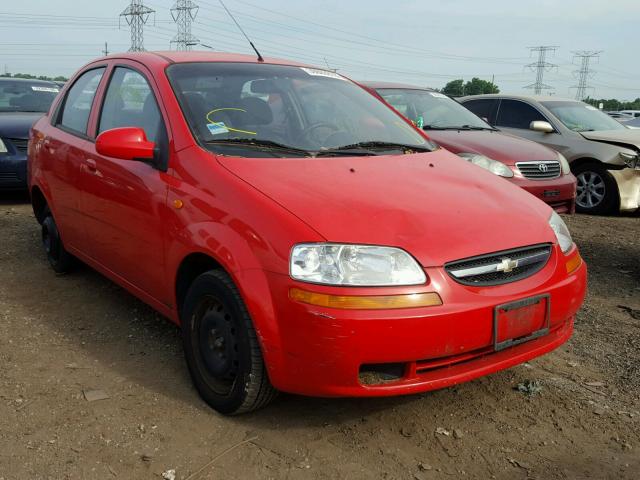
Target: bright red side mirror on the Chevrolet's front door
126 143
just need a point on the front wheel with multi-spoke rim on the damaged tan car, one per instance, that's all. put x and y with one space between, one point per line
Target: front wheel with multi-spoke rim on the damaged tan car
597 191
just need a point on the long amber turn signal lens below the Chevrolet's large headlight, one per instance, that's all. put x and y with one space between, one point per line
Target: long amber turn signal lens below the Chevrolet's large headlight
366 302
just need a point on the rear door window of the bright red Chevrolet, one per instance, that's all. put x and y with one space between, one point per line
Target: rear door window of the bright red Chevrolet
77 104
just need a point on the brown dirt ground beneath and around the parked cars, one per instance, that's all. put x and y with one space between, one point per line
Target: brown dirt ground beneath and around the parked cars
62 337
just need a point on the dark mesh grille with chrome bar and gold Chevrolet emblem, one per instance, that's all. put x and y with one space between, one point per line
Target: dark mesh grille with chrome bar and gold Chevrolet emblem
500 267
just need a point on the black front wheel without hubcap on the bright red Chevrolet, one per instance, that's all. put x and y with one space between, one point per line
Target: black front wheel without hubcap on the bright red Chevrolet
221 347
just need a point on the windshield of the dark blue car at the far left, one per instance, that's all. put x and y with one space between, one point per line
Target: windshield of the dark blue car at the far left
25 96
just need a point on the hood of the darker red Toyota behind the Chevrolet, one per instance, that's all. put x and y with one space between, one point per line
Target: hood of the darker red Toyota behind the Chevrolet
500 146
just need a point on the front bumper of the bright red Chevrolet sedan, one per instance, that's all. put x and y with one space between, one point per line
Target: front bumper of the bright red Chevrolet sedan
321 350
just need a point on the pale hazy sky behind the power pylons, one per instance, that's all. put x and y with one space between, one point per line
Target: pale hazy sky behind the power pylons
424 43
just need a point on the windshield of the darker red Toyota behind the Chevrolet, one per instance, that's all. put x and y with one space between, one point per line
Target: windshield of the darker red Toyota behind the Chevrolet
436 109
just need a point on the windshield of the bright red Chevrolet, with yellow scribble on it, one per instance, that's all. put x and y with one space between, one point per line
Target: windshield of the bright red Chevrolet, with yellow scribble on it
235 107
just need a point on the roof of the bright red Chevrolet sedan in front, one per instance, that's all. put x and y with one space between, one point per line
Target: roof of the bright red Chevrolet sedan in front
170 57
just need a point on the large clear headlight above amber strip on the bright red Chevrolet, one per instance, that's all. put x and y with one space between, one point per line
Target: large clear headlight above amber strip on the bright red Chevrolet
357 265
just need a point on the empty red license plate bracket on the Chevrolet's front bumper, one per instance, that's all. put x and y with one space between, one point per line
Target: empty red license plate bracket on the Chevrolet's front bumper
517 316
